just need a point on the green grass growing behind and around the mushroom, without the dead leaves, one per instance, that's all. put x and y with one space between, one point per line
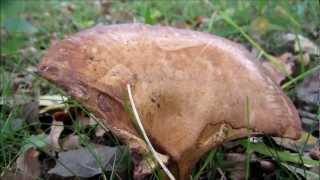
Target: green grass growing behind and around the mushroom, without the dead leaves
27 27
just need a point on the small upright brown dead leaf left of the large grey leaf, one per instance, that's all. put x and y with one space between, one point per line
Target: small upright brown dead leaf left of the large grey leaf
29 164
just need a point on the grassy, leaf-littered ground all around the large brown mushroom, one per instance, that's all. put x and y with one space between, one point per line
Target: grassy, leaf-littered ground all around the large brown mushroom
34 144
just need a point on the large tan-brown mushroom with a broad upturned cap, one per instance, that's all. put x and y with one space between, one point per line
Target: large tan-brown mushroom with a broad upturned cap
192 89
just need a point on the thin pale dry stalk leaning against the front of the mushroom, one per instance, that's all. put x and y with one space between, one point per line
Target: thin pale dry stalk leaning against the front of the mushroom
153 151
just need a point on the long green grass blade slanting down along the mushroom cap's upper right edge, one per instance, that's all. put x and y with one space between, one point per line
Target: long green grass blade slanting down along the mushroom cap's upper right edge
269 57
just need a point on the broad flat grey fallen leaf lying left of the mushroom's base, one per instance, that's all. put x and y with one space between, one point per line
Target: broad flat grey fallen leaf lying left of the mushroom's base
84 162
